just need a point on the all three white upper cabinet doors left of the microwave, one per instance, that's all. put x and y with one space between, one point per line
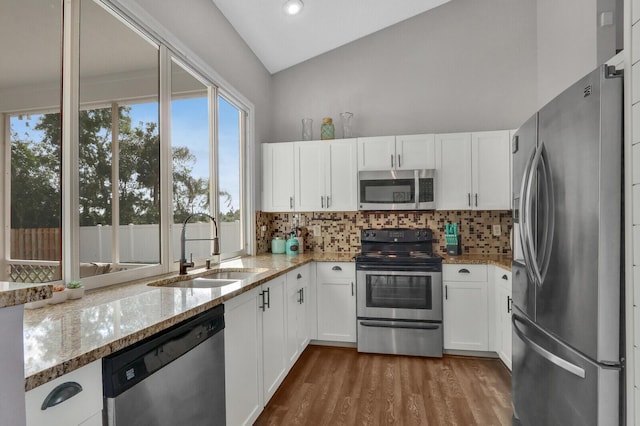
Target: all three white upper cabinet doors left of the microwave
310 176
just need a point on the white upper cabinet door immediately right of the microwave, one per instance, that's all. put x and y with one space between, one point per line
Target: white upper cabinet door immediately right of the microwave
453 171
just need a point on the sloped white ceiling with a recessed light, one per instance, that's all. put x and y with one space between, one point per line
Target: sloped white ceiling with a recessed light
281 41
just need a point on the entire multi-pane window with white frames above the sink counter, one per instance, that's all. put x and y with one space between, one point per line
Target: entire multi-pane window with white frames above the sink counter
118 156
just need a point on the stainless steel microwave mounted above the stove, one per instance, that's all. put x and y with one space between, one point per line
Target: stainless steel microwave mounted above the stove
396 190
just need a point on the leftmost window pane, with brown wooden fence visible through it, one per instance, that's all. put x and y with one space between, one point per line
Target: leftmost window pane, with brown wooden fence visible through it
30 131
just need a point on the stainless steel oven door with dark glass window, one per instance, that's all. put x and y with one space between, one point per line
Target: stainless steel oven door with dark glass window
387 294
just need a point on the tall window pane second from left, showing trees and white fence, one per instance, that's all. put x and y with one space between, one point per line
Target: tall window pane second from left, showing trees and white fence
119 145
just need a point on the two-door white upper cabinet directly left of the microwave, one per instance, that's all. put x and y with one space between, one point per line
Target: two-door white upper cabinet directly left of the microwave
326 175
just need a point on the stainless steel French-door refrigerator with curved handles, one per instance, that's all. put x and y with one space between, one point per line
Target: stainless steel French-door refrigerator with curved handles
567 265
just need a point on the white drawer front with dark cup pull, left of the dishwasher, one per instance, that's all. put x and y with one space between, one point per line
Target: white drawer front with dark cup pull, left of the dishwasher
83 407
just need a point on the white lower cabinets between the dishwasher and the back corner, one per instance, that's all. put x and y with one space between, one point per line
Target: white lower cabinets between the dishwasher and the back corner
259 335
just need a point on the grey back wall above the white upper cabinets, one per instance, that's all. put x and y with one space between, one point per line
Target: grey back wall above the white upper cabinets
466 65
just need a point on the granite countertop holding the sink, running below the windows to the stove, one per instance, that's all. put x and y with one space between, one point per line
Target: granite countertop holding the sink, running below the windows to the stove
61 338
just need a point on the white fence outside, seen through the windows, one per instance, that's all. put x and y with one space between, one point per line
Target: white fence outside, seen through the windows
141 243
